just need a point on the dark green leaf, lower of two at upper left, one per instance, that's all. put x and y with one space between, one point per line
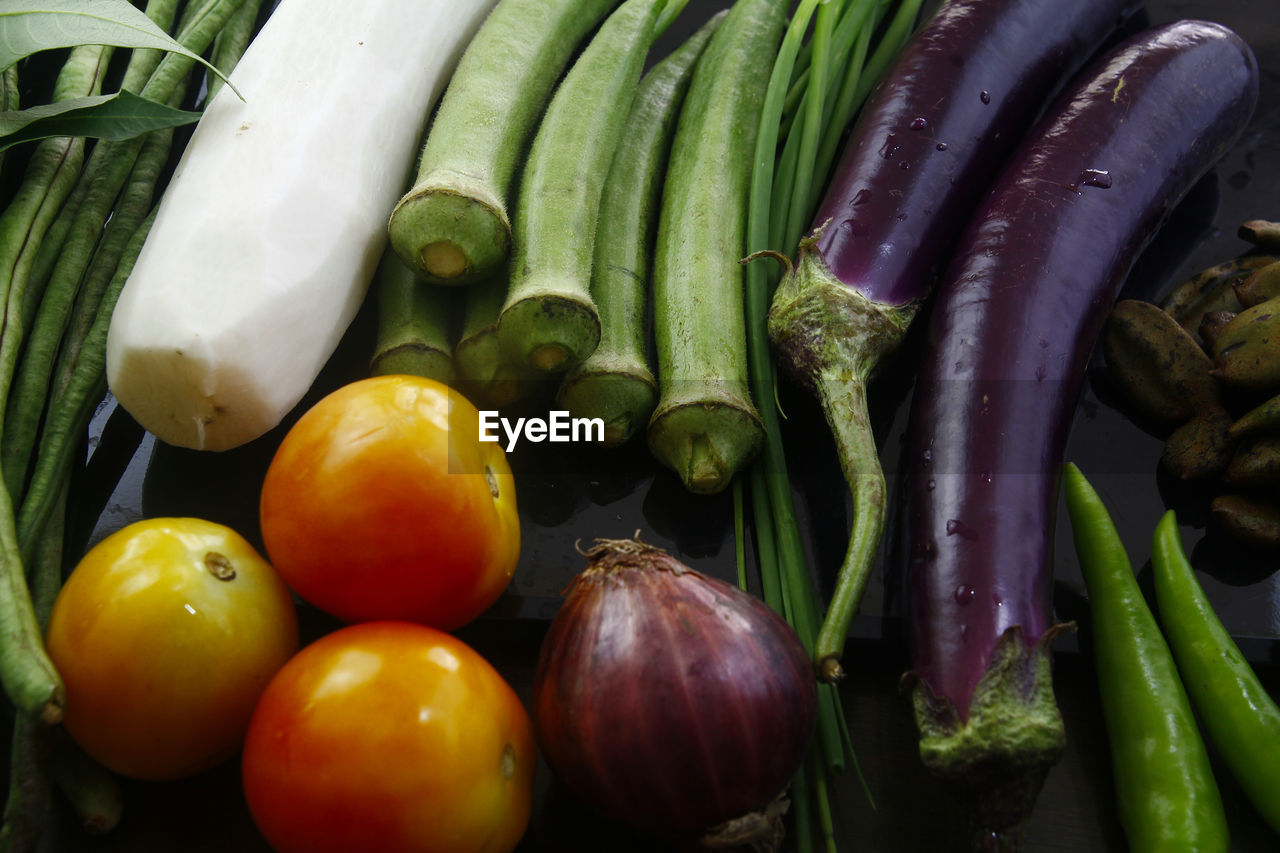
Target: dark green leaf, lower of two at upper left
107 117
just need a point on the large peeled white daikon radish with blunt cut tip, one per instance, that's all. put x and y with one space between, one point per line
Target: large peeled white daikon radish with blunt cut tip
269 234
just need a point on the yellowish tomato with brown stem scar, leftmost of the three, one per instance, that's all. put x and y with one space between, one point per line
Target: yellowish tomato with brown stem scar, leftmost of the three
166 635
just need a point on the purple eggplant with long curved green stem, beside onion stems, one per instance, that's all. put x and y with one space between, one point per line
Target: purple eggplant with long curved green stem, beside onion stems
927 144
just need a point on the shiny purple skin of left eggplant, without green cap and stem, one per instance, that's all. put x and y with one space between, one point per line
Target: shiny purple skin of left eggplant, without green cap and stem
939 127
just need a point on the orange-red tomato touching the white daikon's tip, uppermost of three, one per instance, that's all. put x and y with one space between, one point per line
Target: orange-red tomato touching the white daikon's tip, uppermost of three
382 503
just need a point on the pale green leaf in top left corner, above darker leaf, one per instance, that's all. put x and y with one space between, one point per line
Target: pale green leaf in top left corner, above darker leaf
33 26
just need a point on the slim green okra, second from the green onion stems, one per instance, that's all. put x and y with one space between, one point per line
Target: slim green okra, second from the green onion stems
616 384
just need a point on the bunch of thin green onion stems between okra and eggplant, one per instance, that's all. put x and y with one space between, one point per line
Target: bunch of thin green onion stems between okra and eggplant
785 189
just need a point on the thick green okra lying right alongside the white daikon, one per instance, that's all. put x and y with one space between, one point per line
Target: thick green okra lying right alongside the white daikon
454 225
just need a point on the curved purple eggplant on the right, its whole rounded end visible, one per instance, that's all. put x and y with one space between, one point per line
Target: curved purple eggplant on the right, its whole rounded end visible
1011 332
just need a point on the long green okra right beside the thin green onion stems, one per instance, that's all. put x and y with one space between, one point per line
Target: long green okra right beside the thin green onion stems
706 427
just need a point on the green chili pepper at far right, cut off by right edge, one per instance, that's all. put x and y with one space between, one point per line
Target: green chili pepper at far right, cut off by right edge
1241 718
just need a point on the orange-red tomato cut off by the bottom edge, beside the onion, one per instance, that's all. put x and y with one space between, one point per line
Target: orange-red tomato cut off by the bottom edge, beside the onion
390 737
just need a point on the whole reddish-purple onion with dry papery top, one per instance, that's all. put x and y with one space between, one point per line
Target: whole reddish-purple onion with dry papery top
668 700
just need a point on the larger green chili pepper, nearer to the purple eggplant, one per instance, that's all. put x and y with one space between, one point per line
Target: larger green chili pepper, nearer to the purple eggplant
1167 796
